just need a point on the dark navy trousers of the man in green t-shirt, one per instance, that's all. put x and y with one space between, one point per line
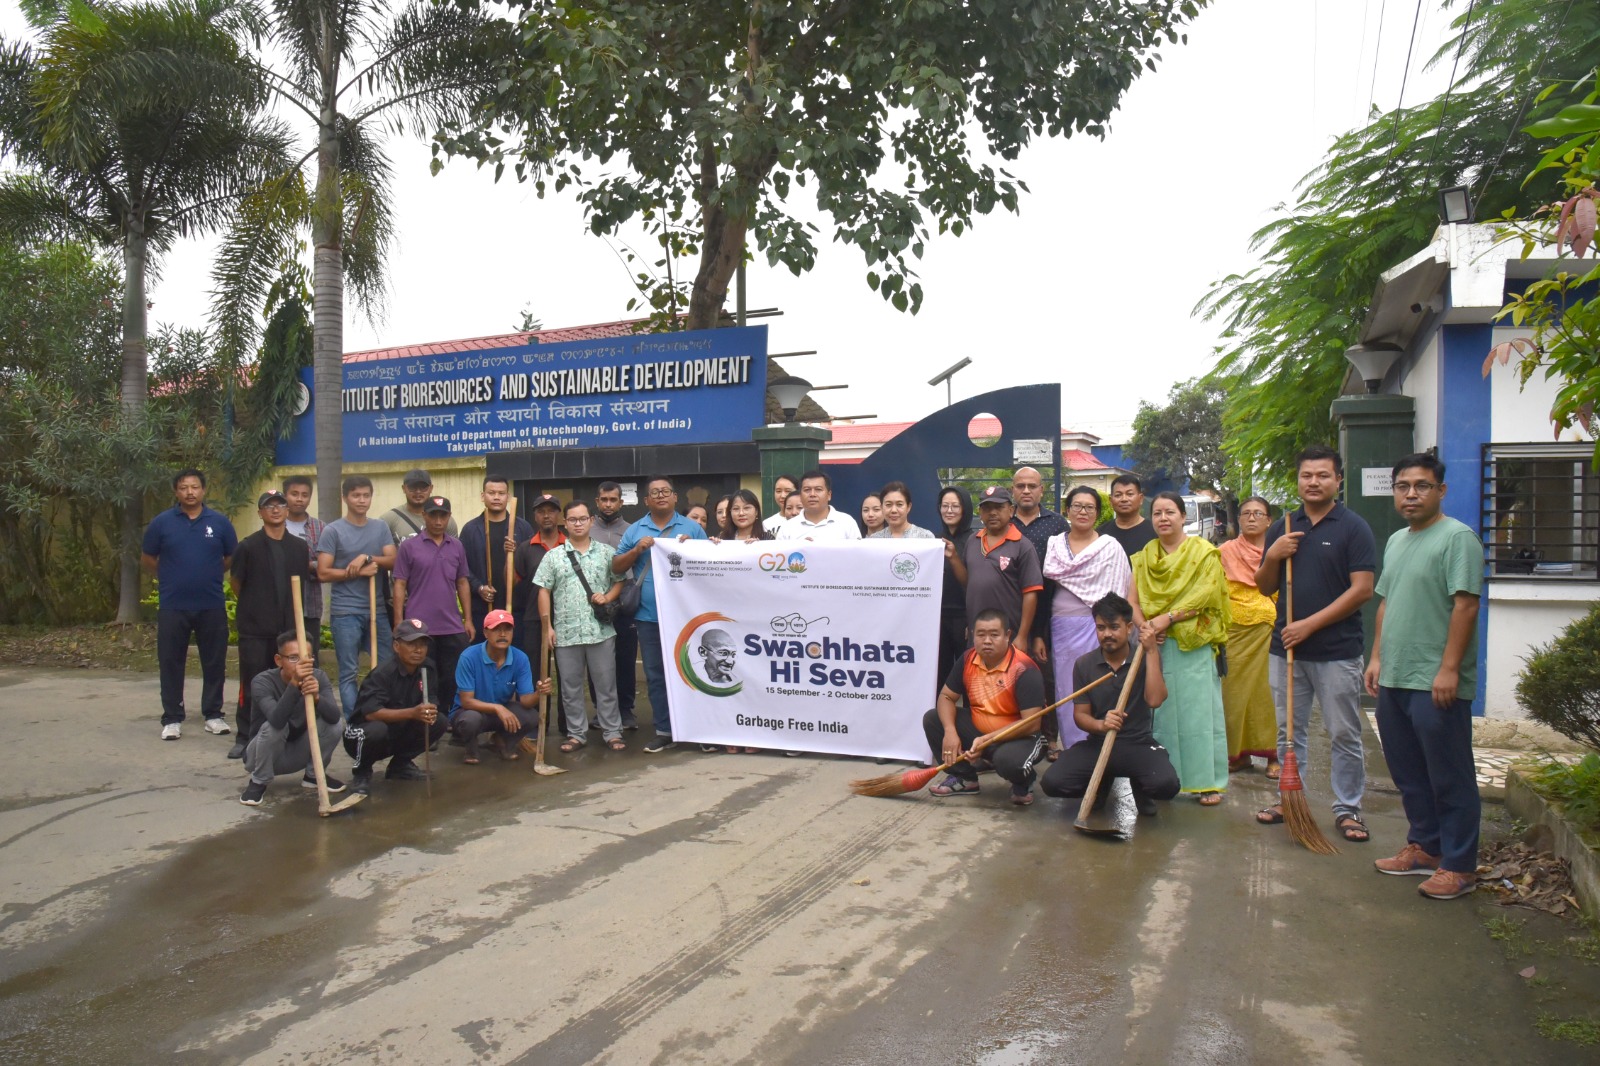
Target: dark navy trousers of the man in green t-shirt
1430 755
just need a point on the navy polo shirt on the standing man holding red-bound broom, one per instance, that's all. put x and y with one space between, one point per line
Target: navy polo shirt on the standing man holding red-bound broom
1329 555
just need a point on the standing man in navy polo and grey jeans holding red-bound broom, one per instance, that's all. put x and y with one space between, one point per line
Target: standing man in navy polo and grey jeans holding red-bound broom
1335 563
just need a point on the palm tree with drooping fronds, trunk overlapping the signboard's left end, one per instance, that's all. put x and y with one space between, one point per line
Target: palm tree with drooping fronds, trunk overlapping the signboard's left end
353 68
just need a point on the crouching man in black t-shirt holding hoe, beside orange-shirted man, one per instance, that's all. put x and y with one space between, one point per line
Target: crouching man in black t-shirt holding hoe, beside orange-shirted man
1135 756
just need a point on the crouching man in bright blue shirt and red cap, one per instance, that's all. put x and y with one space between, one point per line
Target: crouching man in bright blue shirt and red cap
495 691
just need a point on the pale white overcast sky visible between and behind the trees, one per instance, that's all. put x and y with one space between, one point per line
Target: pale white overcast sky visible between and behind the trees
1092 284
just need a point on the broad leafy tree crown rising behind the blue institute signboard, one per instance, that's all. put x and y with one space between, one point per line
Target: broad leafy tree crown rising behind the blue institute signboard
719 111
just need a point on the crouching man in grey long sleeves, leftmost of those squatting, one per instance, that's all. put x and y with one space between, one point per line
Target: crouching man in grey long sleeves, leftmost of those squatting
278 708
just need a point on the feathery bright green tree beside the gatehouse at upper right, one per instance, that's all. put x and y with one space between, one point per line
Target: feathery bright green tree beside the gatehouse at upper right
1372 206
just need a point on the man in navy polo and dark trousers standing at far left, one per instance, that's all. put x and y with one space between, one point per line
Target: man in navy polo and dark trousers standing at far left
188 550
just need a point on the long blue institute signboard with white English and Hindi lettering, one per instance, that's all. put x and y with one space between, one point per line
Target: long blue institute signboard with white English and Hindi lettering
703 387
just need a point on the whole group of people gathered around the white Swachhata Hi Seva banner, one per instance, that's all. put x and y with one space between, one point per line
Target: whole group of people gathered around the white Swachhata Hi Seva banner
1036 606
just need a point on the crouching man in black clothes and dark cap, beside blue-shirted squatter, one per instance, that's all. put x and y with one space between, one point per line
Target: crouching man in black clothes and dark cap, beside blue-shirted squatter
396 716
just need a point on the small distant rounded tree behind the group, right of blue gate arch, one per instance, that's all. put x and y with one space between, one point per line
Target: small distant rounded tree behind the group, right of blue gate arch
1183 441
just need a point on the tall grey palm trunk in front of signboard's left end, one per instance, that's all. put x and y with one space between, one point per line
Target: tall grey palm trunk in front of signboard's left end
327 225
